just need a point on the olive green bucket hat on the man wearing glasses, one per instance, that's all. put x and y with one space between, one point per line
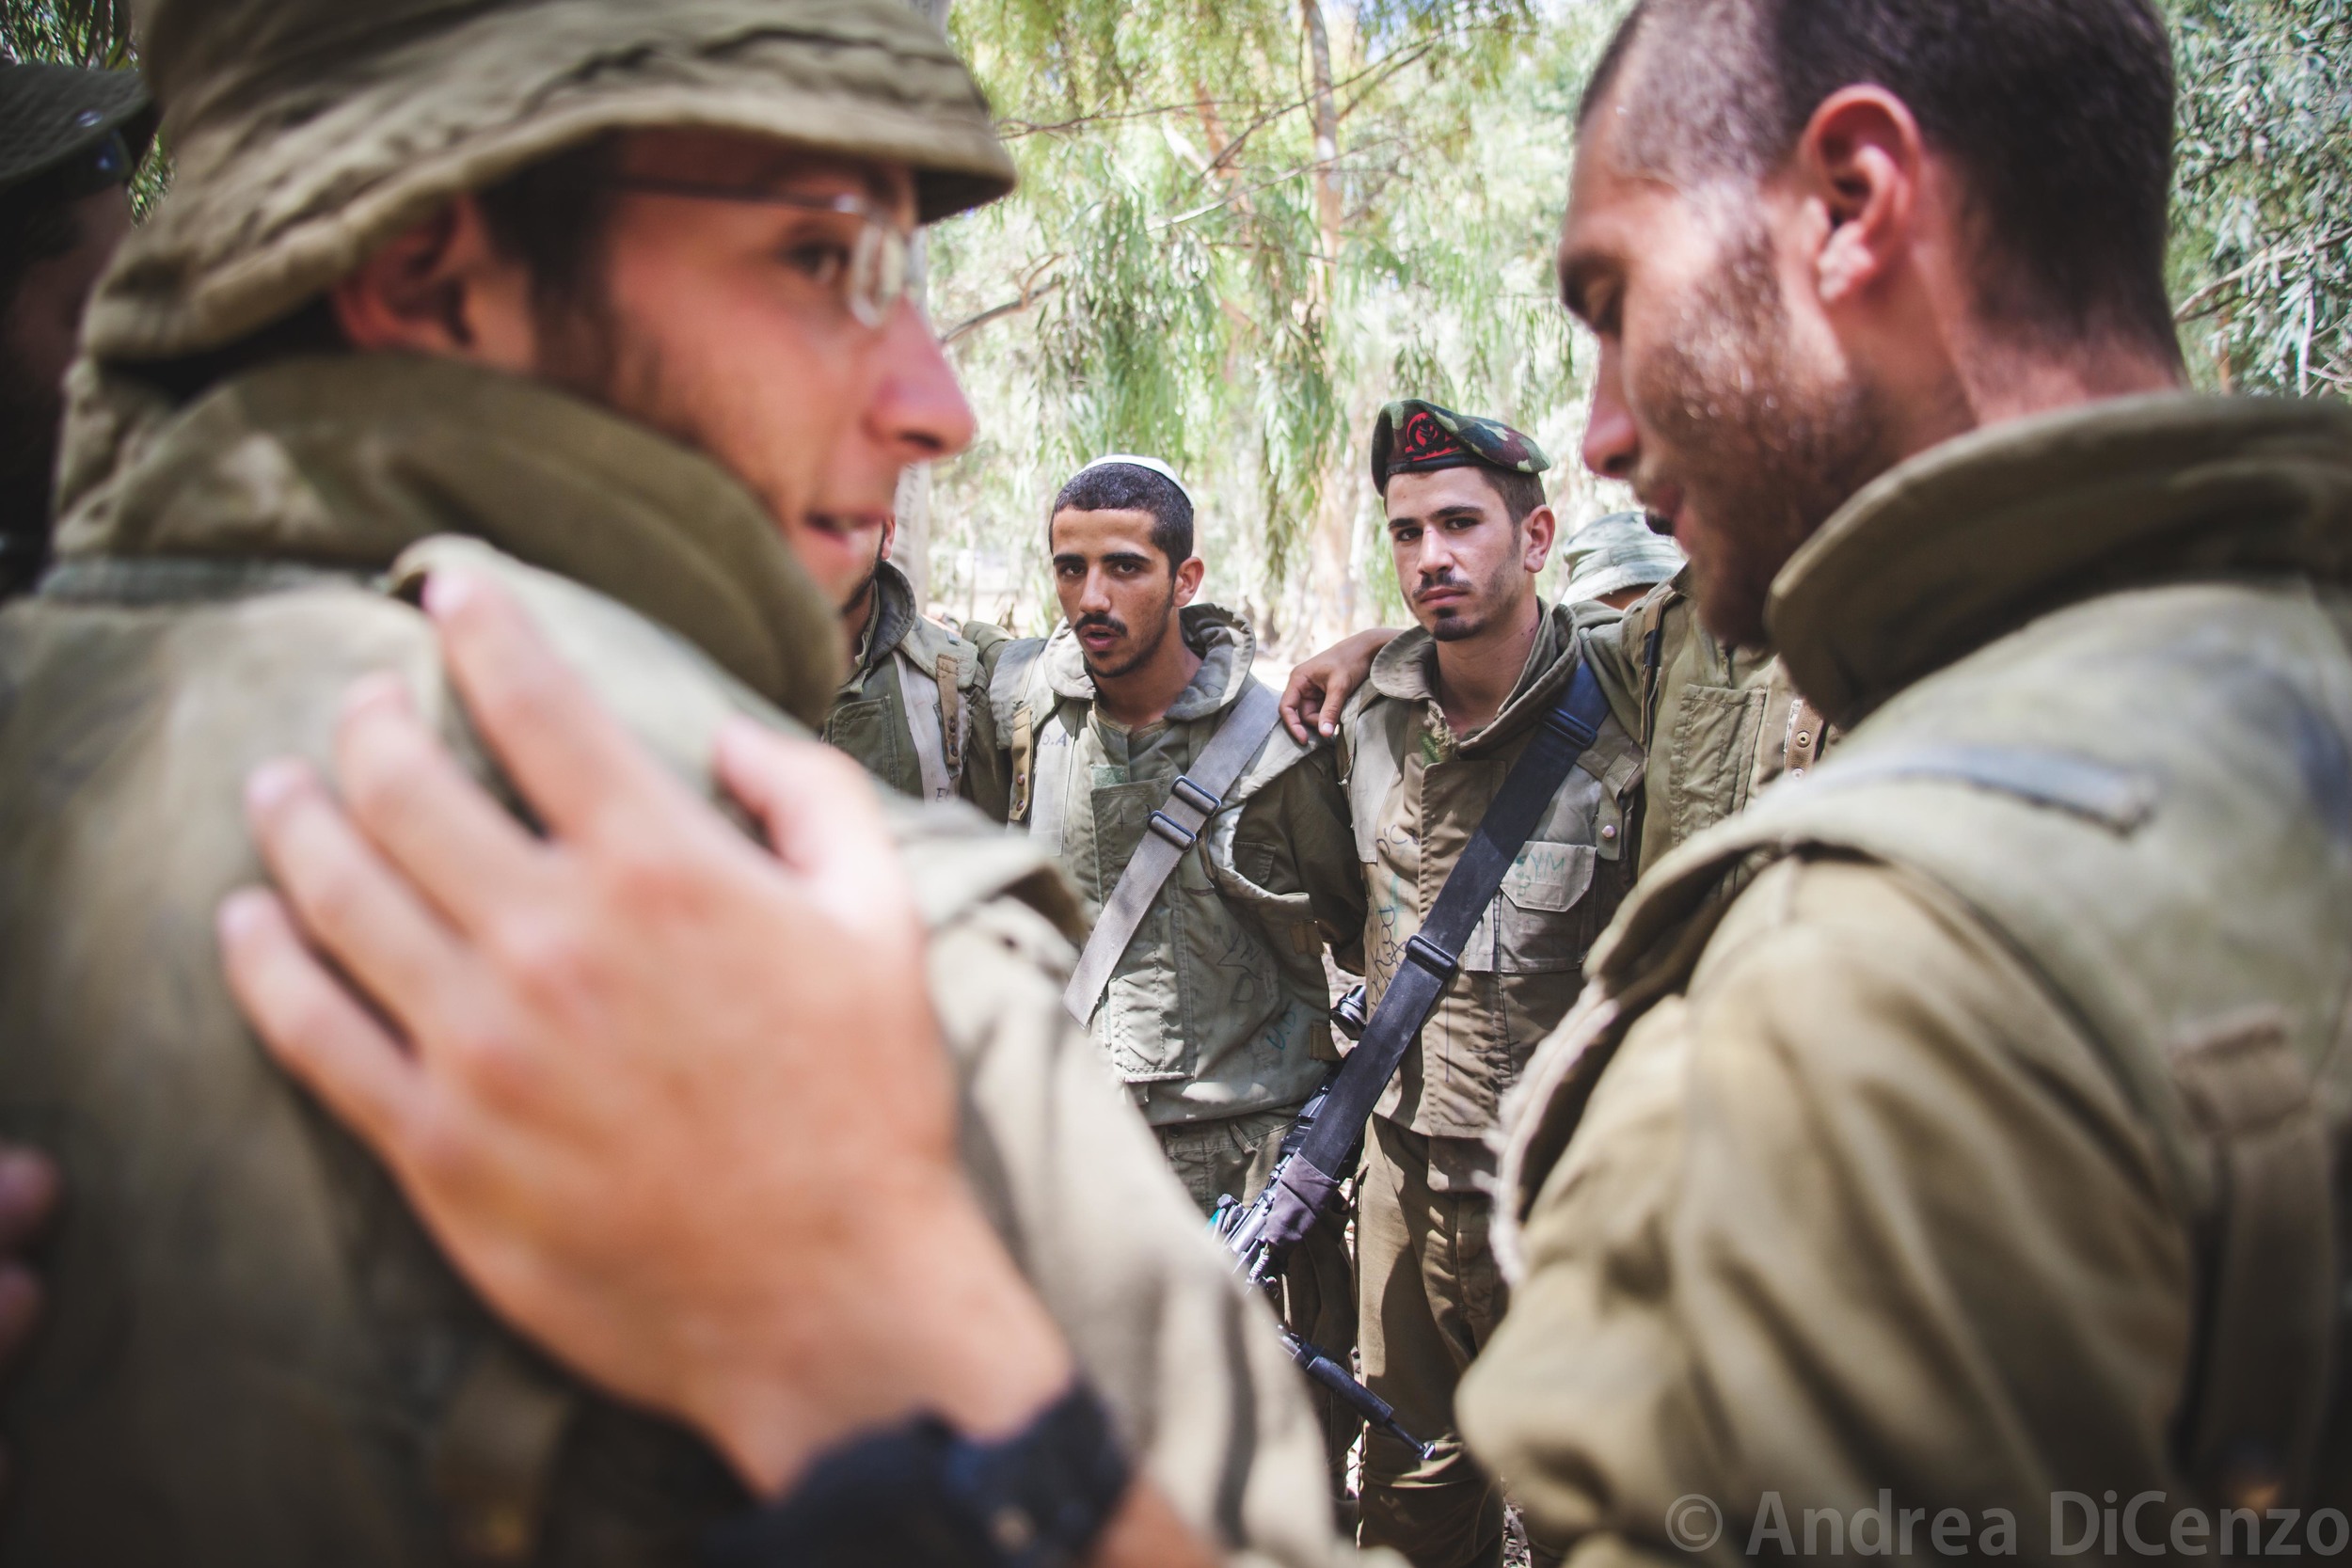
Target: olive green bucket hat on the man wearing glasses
309 133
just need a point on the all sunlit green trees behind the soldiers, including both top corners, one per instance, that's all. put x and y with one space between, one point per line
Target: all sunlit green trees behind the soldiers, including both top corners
1248 225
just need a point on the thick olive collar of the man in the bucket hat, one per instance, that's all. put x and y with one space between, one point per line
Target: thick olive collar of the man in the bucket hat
345 462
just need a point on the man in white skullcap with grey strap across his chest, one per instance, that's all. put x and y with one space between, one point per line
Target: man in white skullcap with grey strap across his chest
1210 845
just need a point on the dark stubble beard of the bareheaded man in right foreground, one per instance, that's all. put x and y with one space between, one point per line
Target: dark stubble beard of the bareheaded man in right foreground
1763 453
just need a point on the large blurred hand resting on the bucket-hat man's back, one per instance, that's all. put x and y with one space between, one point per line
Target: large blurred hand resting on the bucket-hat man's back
676 1104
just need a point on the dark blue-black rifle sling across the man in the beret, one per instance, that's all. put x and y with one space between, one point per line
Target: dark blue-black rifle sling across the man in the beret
1434 956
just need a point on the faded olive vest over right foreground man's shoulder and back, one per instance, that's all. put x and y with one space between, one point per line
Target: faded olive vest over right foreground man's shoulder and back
2149 798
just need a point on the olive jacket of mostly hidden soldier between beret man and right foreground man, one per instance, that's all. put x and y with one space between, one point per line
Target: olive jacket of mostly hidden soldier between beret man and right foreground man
1718 723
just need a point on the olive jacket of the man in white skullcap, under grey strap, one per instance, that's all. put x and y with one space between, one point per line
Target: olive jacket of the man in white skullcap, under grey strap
1220 1007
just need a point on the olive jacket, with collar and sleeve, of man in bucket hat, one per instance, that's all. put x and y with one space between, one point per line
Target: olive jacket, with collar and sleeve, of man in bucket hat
255 1355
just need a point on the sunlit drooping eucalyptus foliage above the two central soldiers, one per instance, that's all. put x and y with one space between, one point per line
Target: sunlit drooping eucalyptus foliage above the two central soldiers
1241 232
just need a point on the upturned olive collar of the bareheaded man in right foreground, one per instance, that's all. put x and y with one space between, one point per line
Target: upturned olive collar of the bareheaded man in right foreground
1982 535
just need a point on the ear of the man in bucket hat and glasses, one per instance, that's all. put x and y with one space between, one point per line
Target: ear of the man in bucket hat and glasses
441 288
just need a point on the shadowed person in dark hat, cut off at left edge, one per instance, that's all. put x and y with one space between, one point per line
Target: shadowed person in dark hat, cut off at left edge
69 147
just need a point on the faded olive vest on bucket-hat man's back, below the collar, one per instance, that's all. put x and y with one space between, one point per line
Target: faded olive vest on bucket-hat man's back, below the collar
258 1358
